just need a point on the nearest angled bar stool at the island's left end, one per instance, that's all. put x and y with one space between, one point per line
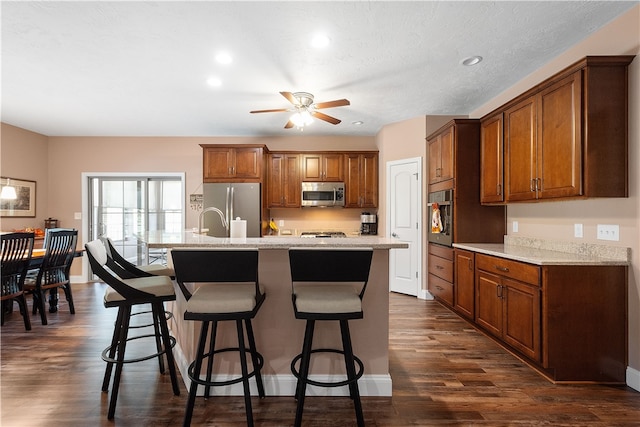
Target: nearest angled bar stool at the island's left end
124 294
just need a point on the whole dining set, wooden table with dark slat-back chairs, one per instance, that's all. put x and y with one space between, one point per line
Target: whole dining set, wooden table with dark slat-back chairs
38 273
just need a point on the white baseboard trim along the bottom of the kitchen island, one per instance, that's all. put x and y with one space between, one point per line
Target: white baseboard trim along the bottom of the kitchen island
285 384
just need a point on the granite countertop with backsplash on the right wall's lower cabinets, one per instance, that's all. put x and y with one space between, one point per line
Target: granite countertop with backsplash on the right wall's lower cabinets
545 252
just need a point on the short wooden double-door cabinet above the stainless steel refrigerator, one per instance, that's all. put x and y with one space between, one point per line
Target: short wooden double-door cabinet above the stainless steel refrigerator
232 163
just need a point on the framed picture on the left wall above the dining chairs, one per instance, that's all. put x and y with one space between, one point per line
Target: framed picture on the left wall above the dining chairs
17 198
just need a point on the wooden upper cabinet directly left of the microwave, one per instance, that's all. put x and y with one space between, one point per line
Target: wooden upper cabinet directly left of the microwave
283 180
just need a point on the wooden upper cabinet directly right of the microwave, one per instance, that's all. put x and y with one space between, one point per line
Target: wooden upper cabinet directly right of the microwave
361 182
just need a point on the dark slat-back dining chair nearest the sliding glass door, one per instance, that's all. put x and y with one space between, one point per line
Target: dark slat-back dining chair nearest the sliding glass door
53 273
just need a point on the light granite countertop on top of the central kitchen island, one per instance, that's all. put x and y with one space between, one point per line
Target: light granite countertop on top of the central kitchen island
187 238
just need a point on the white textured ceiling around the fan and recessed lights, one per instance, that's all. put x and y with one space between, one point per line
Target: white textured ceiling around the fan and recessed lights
141 68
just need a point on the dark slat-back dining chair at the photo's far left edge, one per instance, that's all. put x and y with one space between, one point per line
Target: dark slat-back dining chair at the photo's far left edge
16 254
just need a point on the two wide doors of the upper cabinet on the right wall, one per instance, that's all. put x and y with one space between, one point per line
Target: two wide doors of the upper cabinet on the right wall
543 143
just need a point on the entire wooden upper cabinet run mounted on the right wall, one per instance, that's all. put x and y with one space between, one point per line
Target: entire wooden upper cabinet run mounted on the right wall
565 138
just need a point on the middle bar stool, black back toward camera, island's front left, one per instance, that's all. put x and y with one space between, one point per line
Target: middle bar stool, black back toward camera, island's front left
229 290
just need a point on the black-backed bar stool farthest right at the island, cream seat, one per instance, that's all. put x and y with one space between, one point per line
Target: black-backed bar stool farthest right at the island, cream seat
328 284
